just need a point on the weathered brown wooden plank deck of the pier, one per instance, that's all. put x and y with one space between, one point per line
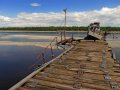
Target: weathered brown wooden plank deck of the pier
87 66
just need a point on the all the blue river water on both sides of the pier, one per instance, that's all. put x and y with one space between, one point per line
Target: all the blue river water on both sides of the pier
16 62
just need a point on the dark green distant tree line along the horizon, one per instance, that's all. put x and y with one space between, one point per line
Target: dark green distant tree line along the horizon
52 28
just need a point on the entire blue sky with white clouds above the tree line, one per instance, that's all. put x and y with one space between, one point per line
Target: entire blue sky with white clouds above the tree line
25 13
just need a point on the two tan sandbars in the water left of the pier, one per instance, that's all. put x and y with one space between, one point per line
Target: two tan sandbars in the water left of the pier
16 43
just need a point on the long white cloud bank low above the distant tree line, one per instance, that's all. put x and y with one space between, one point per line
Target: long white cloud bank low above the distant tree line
106 16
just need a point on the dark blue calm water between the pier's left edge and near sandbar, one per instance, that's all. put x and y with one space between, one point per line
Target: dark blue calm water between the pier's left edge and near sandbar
17 61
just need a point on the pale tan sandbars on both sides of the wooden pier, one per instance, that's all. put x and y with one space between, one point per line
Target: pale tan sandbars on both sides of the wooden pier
41 44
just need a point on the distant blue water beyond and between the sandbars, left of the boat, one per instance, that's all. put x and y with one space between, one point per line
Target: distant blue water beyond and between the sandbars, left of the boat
22 39
